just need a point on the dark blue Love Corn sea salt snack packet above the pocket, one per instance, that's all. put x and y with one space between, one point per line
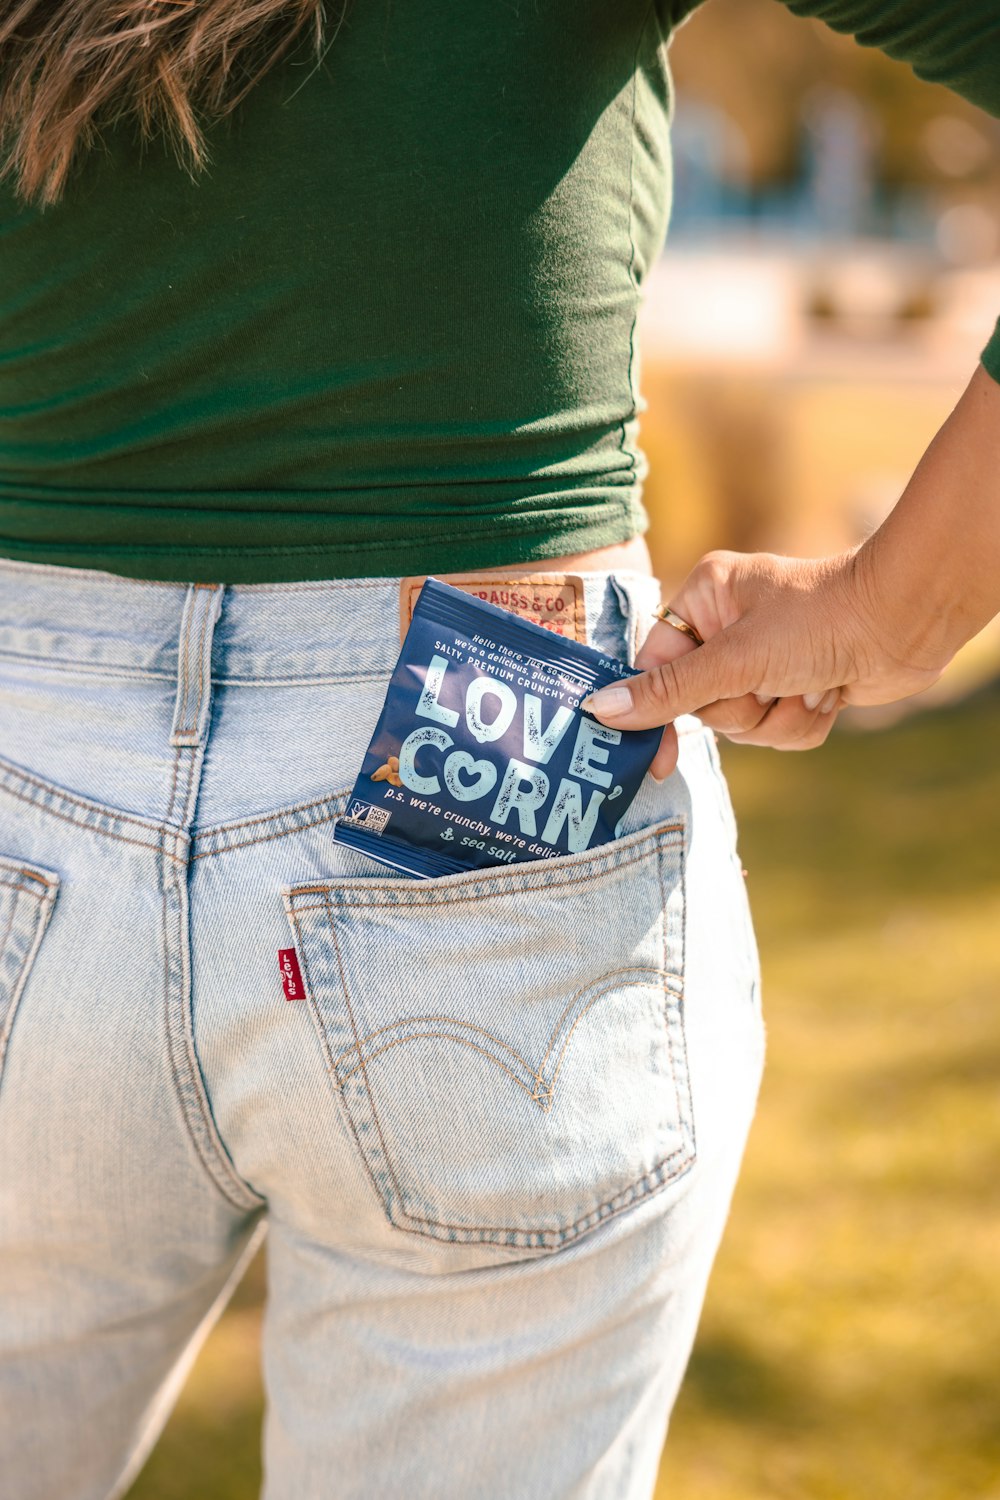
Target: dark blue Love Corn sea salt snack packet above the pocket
482 755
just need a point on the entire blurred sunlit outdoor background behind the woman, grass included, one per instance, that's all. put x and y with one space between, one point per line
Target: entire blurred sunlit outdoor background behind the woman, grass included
833 272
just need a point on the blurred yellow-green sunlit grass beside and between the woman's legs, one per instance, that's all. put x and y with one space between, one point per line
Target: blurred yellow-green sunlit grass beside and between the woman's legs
849 1340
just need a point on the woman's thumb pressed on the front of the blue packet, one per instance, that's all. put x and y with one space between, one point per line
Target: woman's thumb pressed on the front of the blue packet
675 688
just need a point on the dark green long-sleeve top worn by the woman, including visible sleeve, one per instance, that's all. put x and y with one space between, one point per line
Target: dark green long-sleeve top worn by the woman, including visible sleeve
394 328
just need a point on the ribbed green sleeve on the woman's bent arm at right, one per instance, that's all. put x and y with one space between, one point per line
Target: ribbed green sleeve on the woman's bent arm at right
953 43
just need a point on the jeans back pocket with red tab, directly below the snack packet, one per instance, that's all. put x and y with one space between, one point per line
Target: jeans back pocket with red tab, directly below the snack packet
509 1045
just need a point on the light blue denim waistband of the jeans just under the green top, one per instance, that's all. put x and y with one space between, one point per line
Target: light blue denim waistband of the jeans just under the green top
299 632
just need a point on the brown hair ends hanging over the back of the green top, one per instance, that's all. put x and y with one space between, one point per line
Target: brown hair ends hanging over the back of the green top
70 67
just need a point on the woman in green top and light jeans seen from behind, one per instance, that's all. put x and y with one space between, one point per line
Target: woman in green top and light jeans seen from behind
383 328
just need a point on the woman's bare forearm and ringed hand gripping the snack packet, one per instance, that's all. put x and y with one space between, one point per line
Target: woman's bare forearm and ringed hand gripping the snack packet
788 641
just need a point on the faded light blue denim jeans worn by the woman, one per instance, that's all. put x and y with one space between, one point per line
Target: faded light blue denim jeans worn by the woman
496 1142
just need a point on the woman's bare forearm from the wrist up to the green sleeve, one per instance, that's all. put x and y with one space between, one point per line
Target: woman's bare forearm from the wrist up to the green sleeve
932 571
